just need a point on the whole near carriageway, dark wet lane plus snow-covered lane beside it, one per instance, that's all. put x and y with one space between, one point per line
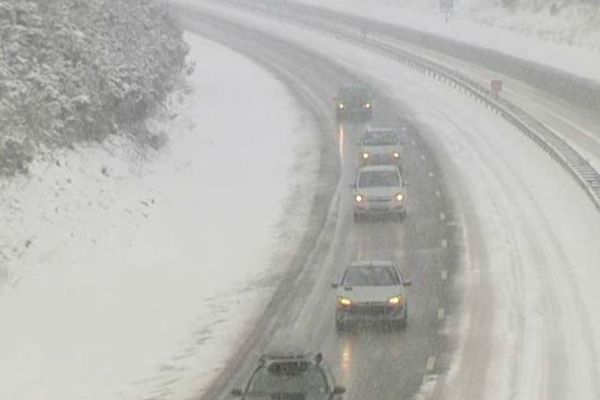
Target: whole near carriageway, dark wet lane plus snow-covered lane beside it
510 226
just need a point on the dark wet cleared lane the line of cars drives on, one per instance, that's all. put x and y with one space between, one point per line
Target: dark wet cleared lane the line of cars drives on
371 362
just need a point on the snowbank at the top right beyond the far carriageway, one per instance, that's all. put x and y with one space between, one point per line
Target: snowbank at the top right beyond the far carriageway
574 47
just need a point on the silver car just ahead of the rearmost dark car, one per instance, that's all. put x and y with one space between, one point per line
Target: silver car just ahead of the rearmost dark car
380 146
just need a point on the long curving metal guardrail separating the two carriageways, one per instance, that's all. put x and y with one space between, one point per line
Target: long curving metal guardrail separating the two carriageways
557 148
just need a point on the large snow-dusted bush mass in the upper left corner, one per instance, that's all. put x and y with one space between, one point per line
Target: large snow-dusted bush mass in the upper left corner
77 70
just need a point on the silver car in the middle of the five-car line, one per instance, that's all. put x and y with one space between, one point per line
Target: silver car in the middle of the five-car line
379 190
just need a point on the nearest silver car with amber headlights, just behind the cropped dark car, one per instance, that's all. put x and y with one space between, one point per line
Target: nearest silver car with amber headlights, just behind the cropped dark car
371 291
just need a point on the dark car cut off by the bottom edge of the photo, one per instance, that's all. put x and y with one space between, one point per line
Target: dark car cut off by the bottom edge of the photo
291 376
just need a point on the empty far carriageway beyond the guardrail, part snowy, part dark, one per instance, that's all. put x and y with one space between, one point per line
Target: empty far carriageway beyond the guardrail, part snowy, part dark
565 103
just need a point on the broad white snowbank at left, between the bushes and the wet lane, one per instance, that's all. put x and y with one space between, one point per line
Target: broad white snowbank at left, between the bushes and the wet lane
126 276
